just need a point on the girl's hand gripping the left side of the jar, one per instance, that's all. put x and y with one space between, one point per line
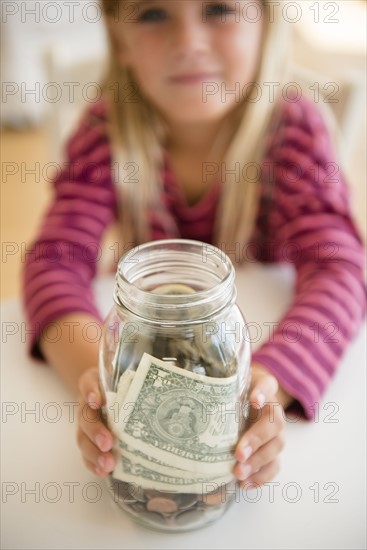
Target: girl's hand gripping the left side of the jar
93 437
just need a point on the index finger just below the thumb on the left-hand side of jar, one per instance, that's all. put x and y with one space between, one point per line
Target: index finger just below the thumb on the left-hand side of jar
90 424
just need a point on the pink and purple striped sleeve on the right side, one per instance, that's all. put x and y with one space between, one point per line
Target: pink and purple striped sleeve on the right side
311 226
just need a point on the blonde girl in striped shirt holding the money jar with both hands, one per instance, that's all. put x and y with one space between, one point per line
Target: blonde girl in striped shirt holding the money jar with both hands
186 101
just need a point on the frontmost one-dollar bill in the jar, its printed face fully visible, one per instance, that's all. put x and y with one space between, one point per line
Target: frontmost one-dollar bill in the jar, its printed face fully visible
183 419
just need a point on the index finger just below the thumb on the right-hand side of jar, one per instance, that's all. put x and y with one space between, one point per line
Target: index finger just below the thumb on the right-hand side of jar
269 424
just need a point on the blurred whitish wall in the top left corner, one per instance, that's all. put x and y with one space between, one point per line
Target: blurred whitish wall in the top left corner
28 29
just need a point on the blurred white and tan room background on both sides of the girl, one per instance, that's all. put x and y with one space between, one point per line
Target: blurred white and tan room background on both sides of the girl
53 55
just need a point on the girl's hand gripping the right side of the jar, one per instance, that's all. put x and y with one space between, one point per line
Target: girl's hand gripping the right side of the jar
258 448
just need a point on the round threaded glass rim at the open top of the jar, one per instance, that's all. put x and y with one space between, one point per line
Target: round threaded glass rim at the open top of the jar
216 267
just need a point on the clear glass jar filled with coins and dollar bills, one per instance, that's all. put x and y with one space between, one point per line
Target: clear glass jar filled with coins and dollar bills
174 367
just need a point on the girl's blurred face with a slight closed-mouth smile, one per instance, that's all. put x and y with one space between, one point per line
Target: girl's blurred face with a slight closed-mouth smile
193 59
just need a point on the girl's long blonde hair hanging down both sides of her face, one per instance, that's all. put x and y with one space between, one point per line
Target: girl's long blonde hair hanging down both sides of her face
137 133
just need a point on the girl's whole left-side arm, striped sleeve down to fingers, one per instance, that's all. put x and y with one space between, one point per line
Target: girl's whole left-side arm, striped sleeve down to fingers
58 273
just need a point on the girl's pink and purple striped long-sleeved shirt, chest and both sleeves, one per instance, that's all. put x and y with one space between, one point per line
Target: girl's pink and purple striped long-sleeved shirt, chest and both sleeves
304 218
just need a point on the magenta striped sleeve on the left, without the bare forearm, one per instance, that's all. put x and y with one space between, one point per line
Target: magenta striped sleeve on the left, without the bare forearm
63 259
